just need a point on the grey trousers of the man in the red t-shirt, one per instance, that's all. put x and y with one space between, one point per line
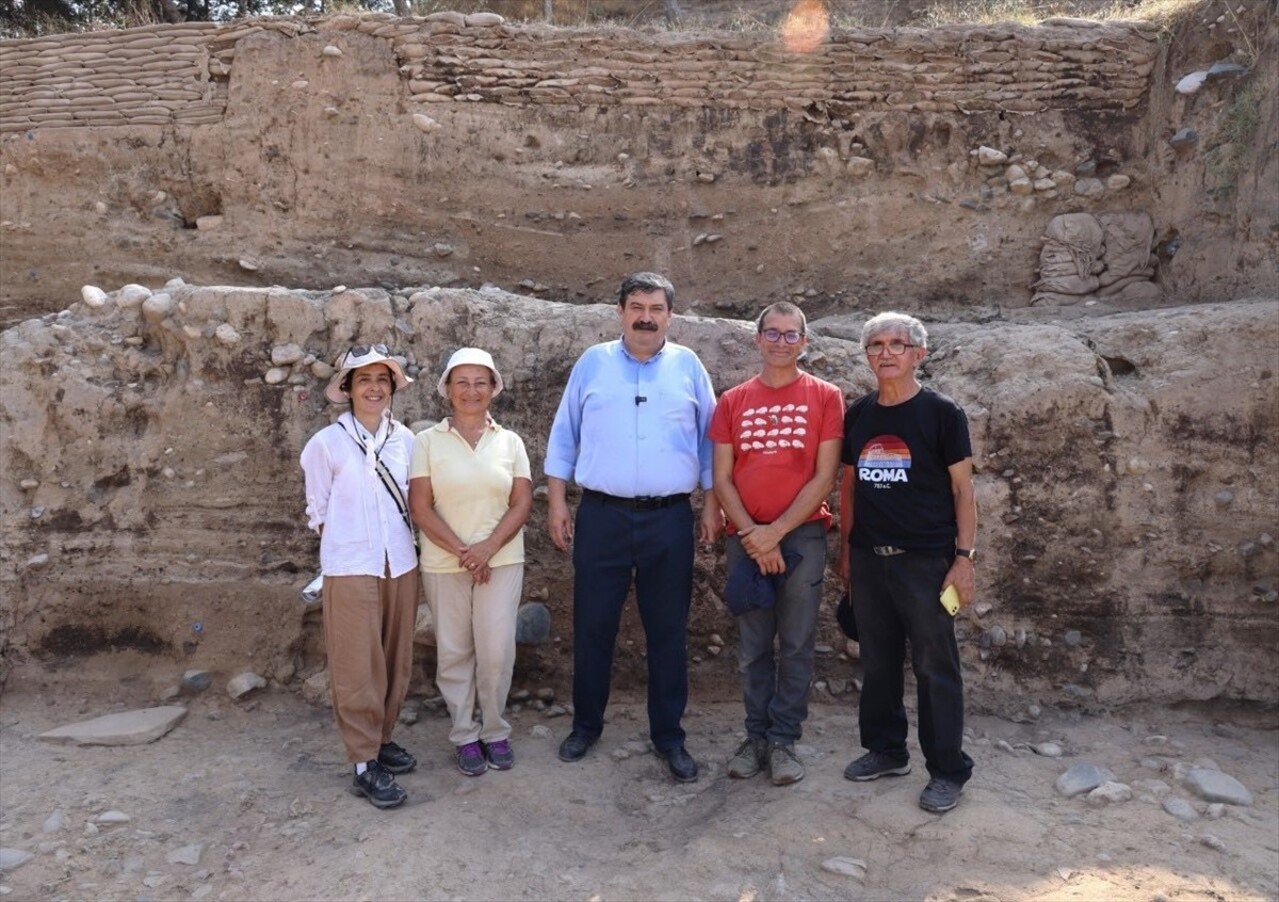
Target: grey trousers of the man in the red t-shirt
776 688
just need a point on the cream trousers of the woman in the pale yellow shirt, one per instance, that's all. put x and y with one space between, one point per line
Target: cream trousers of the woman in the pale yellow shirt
475 643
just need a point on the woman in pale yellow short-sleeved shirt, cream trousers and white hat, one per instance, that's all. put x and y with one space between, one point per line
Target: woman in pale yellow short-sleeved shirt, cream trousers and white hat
470 493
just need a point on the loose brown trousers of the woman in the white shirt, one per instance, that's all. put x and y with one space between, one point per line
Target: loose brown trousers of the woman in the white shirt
369 635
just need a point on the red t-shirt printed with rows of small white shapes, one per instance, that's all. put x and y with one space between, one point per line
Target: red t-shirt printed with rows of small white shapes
776 434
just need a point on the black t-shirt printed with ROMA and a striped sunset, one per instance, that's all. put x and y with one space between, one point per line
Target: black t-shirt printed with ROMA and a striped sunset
900 456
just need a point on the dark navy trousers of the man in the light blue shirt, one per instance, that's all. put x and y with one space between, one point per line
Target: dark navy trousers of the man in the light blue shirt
611 546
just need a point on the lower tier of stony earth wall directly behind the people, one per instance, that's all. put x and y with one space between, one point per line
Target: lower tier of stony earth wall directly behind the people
153 500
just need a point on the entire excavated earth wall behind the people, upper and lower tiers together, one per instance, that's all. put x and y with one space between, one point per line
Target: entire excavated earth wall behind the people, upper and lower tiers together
478 182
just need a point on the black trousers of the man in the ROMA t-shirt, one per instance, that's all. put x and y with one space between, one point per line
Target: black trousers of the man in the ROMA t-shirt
895 601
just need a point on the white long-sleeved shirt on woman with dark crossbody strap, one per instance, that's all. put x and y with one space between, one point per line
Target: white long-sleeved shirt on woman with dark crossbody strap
363 526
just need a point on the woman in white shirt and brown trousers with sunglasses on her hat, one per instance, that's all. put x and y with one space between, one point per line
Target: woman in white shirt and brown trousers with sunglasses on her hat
357 486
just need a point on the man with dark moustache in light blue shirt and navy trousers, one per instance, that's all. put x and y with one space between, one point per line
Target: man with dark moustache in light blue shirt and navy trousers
632 431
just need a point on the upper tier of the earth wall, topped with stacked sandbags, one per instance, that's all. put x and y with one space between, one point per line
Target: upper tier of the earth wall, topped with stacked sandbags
464 150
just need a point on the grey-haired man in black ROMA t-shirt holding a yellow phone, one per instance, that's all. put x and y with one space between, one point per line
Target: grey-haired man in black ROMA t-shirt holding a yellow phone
909 523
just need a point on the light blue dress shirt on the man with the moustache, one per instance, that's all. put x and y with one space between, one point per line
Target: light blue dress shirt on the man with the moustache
634 428
